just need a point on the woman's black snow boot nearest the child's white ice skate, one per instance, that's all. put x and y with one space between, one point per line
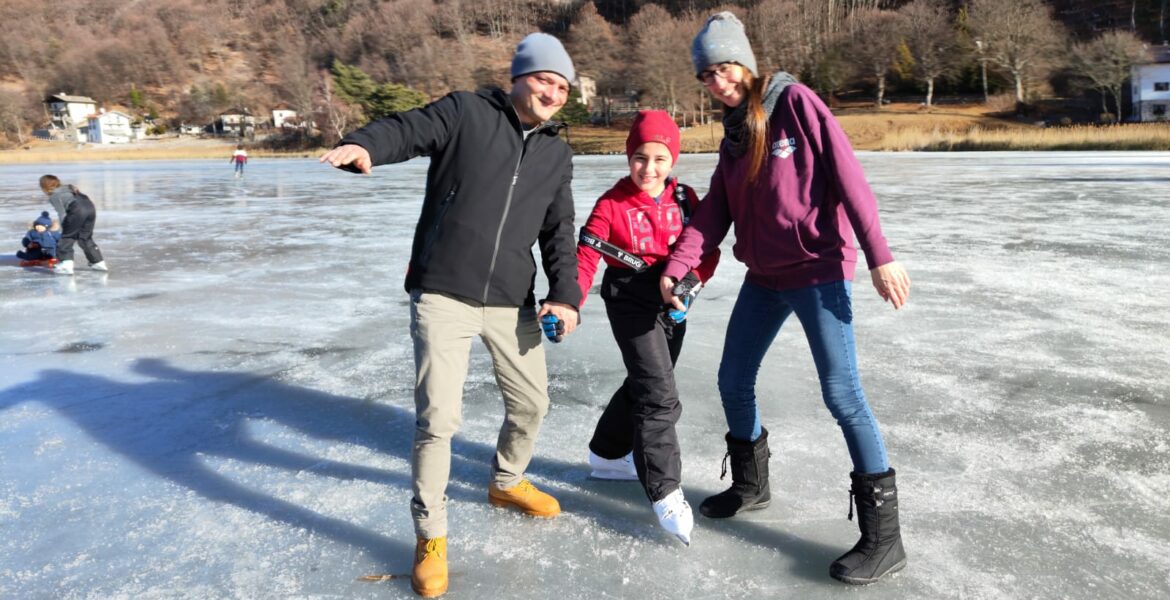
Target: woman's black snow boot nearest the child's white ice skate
749 480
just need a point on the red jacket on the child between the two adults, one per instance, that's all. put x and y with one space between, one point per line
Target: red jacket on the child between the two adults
630 219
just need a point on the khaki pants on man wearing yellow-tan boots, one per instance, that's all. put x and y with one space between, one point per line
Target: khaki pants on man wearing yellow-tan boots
443 328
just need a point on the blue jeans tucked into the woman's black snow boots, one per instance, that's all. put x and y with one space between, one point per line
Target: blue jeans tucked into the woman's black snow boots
827 315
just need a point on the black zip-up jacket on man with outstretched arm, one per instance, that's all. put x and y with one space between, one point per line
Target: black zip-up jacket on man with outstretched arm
491 196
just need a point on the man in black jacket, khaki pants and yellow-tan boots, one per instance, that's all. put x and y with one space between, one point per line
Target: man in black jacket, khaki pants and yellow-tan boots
499 182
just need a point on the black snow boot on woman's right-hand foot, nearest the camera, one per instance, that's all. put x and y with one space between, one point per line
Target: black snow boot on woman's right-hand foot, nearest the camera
879 551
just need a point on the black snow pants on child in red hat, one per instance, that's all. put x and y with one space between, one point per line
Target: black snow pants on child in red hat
642 415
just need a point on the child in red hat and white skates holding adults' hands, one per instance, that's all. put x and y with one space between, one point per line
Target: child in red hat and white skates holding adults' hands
634 227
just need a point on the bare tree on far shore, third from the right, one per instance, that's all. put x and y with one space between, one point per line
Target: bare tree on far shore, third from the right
933 42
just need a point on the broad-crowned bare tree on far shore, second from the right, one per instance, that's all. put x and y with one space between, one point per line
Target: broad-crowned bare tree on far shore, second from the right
1020 37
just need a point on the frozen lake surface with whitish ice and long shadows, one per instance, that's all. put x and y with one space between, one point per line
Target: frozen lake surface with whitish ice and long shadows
229 413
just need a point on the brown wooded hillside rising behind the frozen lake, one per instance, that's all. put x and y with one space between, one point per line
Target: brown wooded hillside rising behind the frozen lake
188 60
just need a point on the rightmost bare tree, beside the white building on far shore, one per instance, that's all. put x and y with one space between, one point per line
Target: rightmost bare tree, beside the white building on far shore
1106 61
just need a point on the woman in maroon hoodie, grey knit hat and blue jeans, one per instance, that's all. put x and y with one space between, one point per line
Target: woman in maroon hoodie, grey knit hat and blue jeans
790 184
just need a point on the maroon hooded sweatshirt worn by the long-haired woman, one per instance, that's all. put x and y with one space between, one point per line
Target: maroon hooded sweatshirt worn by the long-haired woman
795 227
